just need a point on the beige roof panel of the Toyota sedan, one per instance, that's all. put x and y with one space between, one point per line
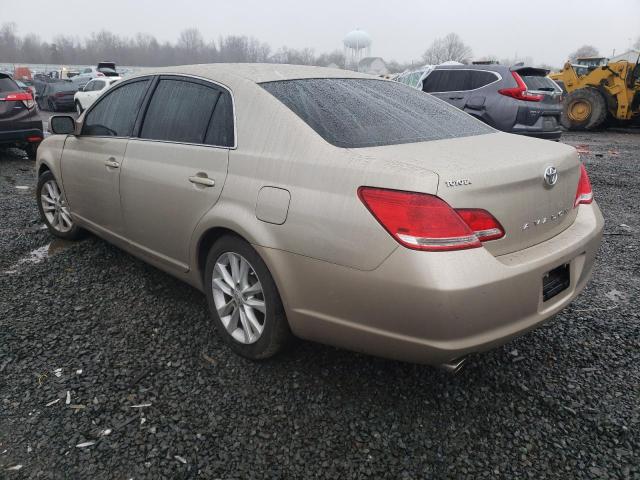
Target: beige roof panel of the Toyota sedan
255 72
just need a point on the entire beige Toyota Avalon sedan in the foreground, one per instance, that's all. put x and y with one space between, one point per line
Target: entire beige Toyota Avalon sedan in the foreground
327 205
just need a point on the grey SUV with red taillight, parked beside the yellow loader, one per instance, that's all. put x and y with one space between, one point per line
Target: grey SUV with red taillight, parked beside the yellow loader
516 99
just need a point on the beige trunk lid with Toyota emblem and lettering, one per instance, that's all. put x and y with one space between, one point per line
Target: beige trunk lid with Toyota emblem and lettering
503 174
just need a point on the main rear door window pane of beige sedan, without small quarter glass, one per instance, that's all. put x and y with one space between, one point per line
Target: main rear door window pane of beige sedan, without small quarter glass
179 111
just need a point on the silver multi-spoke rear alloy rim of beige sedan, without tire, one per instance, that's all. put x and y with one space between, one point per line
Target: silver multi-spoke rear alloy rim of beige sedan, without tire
238 297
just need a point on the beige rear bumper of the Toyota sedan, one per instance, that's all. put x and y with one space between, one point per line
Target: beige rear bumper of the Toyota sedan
433 307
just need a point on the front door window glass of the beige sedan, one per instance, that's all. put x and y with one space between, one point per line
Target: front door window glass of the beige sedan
116 111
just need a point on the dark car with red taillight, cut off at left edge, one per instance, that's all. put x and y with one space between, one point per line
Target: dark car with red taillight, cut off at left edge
20 124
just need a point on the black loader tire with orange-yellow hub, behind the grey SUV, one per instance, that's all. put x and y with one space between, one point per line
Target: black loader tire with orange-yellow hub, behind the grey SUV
584 109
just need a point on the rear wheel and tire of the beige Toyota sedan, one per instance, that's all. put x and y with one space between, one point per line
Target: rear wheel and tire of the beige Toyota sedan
244 300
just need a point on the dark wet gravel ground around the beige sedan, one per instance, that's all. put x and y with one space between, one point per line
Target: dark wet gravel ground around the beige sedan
108 370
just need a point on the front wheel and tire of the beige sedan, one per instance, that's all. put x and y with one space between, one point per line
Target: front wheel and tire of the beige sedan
54 209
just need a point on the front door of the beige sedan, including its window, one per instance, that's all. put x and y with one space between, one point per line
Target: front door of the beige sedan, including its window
91 161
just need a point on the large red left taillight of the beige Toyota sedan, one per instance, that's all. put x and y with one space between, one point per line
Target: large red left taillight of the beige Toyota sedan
426 222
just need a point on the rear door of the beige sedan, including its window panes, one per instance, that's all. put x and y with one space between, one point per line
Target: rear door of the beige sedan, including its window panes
175 170
